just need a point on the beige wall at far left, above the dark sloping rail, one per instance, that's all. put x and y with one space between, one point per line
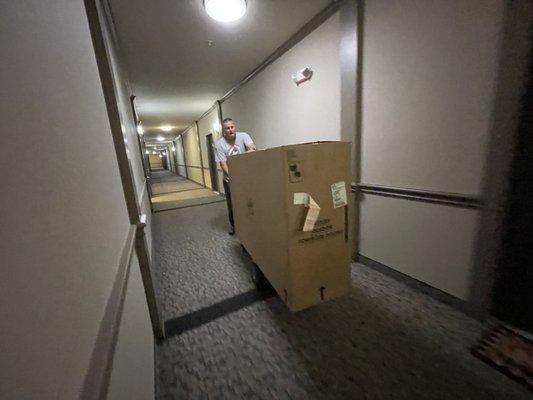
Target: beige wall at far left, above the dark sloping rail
67 222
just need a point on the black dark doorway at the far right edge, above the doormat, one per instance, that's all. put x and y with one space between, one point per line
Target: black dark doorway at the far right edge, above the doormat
513 290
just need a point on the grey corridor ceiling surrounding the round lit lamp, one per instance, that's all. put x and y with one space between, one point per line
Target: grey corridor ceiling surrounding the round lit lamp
179 60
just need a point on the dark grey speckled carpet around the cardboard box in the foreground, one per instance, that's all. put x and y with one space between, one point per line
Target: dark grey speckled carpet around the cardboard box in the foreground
381 341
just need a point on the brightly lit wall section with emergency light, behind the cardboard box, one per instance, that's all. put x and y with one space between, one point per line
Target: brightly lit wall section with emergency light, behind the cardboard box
275 112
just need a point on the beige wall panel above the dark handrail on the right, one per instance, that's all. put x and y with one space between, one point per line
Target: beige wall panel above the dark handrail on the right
429 80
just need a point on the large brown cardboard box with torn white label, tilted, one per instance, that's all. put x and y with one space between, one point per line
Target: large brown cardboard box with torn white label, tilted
291 208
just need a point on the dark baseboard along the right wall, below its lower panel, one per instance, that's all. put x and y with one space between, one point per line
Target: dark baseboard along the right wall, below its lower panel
465 307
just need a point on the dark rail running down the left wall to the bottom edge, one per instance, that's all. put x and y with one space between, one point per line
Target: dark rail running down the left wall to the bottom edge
96 382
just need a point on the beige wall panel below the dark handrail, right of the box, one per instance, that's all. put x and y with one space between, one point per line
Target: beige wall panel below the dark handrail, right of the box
429 242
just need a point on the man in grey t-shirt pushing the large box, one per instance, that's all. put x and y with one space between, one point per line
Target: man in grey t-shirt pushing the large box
231 143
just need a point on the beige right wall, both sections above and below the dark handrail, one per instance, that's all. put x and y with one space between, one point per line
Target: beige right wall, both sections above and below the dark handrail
429 77
